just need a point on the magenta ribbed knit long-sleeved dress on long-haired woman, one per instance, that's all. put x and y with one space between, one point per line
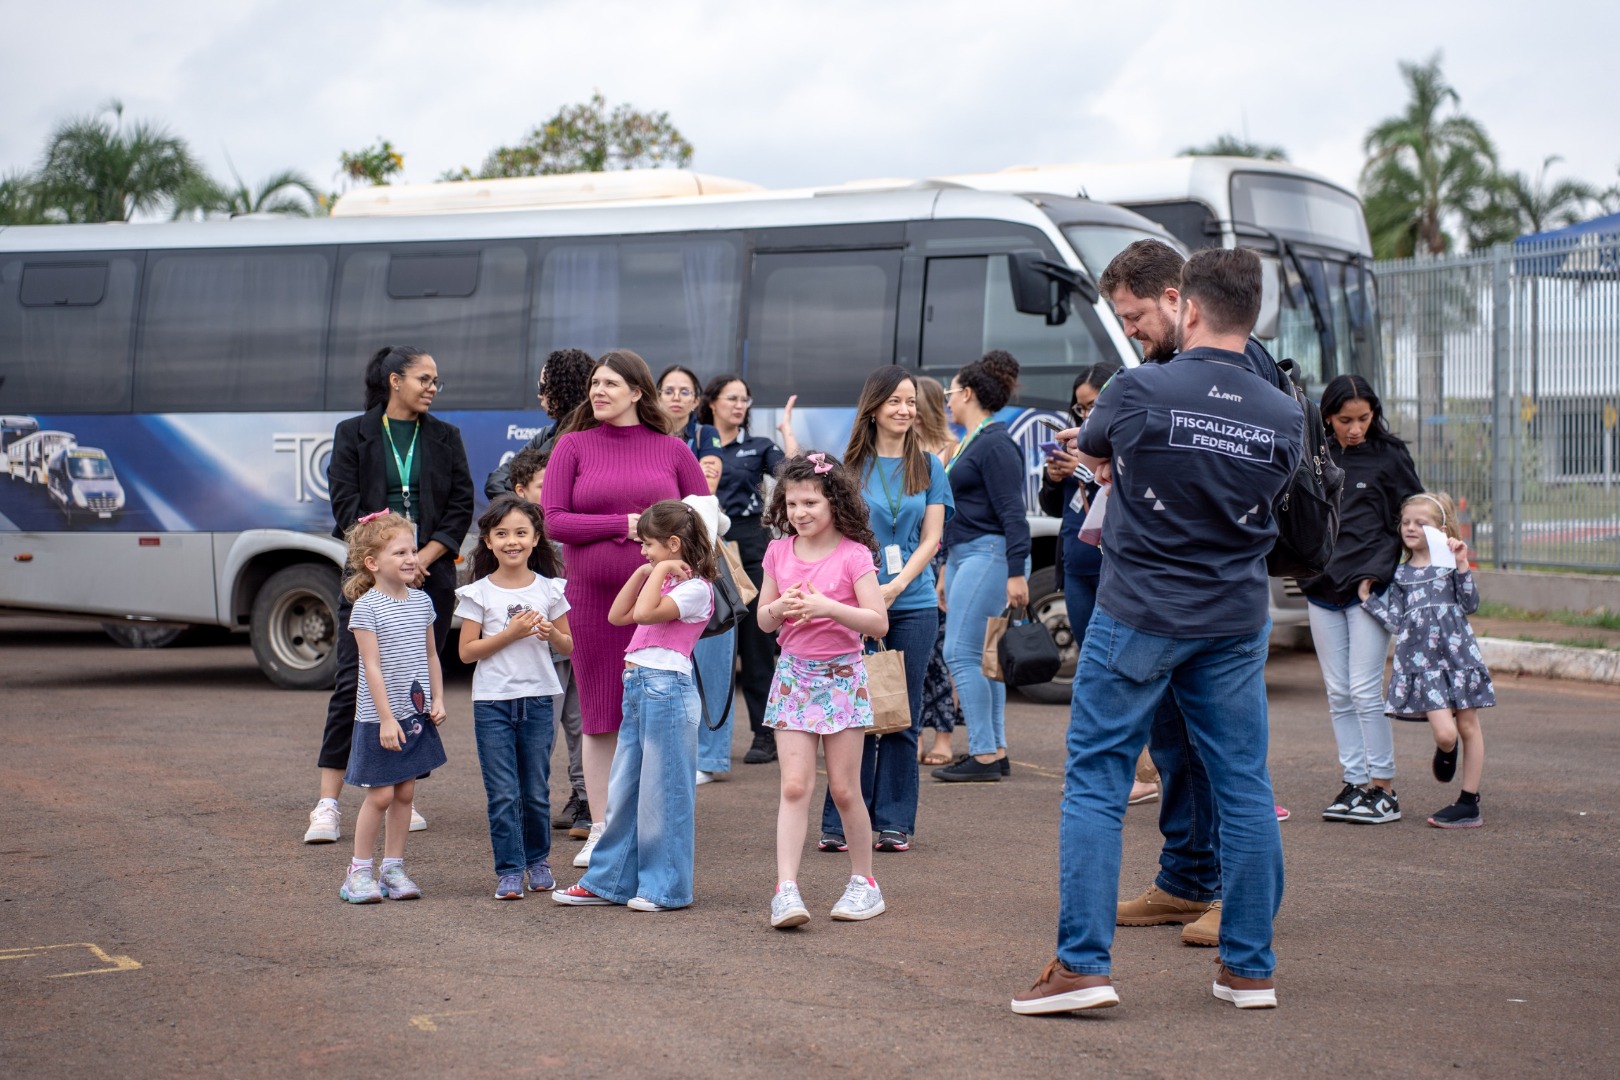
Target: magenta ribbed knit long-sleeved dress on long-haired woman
594 480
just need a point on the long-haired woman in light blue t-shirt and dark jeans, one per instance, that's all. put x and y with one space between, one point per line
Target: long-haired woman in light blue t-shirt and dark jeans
908 501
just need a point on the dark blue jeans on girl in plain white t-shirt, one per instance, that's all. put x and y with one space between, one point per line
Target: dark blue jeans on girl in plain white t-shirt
514 752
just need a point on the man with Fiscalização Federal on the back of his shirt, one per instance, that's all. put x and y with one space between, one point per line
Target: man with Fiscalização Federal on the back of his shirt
1198 451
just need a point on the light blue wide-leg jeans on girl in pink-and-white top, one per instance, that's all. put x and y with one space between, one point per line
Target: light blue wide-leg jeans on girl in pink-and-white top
646 849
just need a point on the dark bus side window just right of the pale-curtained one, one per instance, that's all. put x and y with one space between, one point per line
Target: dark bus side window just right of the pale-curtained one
821 323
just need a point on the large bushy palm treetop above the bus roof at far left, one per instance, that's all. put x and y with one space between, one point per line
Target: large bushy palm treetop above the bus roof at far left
100 171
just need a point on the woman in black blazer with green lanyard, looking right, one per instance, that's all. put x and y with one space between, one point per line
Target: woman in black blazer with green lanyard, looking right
393 457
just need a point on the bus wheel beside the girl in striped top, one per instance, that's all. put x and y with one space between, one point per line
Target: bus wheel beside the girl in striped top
294 627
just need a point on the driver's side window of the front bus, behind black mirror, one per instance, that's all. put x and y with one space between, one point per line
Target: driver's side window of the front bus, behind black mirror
968 310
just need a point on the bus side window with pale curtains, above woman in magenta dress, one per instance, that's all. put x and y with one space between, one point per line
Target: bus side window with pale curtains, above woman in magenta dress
681 302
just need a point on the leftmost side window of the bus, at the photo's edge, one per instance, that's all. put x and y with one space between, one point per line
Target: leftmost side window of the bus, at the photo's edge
66 336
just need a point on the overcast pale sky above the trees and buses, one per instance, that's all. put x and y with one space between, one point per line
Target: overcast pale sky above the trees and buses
788 93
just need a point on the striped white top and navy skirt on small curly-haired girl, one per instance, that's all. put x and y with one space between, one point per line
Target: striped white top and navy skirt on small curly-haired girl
403 647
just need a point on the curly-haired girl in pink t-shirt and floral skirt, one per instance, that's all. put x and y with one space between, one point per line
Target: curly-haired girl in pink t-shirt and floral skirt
821 597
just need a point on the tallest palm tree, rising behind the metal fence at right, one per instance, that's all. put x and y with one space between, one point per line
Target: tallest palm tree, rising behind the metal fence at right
1428 171
